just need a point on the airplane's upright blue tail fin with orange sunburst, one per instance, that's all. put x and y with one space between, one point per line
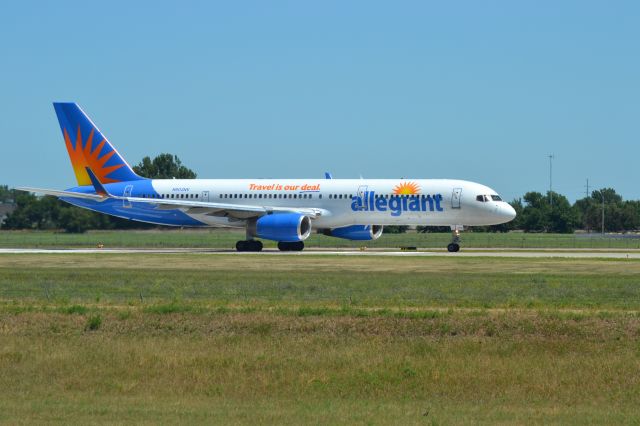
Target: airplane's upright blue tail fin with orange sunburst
88 147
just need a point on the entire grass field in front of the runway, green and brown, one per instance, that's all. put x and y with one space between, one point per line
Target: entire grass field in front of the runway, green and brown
318 339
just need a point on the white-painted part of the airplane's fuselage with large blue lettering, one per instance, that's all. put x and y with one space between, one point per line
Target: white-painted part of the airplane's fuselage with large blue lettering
344 202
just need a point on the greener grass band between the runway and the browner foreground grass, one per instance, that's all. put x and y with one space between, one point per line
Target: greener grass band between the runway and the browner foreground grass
275 281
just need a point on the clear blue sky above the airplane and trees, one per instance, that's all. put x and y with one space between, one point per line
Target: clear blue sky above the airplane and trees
483 91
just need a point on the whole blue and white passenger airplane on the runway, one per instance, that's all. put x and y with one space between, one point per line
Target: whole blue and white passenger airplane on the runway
282 210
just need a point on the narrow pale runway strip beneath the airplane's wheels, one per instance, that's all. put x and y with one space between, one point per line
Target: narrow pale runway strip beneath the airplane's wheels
506 253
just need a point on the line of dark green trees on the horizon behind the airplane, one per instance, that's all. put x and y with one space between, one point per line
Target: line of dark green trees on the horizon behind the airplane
536 212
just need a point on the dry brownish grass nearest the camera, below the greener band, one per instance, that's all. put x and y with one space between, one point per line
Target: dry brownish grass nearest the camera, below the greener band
187 367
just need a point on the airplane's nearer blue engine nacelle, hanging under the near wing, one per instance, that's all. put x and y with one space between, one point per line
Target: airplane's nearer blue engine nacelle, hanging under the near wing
287 227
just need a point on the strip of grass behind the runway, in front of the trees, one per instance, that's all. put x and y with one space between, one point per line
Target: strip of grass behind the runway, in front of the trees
218 238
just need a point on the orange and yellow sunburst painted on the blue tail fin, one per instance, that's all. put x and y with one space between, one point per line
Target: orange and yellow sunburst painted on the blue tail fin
82 155
